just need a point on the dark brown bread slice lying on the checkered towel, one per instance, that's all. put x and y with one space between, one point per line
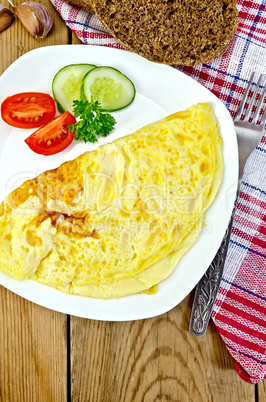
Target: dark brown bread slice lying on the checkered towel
181 32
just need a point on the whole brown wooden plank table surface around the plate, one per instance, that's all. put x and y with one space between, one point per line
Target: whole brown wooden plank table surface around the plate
49 356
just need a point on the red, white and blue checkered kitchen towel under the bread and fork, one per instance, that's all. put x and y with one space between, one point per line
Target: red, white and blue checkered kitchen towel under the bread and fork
240 309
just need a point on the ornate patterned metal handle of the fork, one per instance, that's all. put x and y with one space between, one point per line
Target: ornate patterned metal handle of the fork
207 288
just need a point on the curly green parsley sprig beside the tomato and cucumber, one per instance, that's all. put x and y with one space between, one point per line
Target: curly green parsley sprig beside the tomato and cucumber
93 122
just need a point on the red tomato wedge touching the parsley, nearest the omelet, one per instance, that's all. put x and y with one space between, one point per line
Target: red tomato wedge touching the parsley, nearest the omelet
54 137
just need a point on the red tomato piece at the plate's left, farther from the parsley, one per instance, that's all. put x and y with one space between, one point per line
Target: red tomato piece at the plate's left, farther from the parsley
28 109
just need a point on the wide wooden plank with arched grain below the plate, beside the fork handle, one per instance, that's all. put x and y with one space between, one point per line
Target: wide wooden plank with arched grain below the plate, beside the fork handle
153 359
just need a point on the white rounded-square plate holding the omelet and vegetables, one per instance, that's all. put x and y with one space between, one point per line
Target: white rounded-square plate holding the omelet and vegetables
160 90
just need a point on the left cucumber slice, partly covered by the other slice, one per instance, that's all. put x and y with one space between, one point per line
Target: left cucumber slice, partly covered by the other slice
66 85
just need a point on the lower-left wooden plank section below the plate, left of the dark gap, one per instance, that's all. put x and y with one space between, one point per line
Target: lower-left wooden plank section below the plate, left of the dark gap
33 360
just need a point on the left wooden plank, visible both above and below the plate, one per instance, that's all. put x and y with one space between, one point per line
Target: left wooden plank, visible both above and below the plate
33 340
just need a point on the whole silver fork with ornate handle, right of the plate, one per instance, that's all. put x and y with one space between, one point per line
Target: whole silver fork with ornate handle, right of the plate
249 133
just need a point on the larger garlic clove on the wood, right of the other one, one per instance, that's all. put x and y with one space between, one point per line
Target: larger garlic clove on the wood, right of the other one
35 17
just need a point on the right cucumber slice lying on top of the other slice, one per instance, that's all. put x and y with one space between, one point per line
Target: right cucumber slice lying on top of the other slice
108 86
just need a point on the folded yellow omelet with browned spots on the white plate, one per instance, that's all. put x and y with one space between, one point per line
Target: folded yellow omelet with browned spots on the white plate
116 221
